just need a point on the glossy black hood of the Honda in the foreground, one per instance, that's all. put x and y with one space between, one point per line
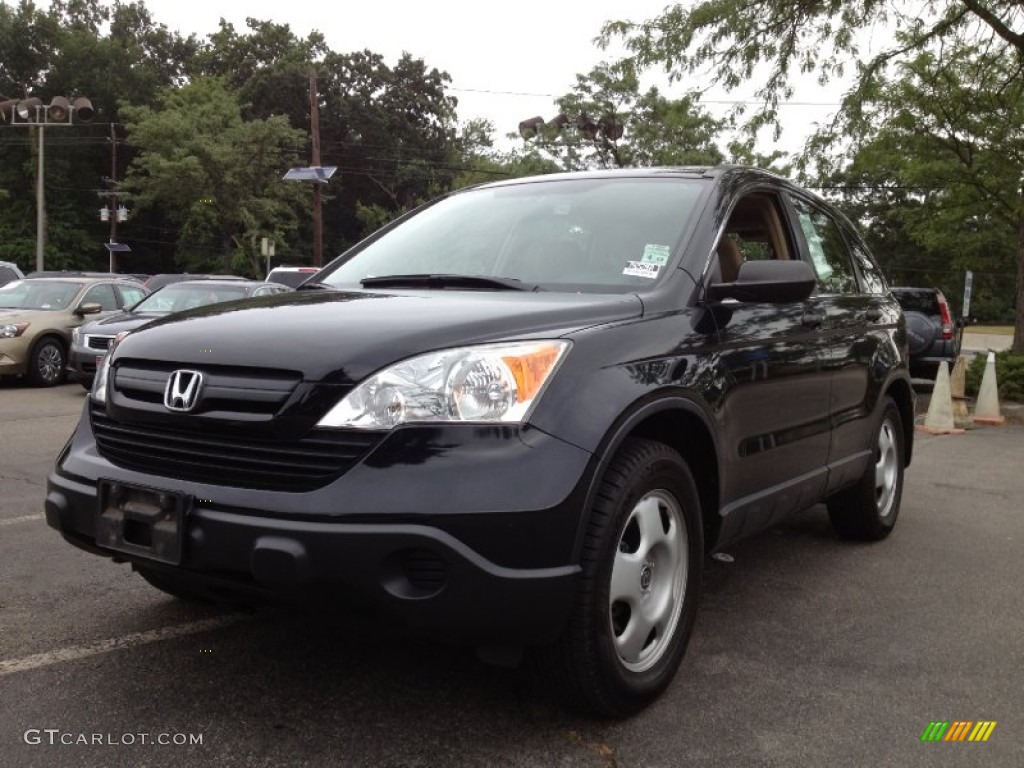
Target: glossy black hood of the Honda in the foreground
343 337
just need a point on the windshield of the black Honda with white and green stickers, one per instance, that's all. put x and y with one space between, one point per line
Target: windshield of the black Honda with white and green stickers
590 235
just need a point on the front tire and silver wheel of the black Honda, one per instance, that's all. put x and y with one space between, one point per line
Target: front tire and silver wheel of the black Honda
613 660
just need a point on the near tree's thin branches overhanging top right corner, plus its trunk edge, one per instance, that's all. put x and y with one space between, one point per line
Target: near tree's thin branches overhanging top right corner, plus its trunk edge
731 41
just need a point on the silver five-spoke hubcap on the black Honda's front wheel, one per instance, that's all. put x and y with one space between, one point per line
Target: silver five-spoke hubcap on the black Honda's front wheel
649 581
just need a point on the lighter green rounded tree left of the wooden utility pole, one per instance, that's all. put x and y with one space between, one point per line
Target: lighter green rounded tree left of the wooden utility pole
218 175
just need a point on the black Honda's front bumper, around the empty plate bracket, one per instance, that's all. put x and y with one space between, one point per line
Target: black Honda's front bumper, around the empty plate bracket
473 543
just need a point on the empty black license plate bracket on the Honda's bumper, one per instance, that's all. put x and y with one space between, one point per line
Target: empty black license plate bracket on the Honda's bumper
143 522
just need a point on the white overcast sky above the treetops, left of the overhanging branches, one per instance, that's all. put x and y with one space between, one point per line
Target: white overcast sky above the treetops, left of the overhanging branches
507 62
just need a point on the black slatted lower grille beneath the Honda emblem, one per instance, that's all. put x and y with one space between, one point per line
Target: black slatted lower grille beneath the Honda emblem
265 463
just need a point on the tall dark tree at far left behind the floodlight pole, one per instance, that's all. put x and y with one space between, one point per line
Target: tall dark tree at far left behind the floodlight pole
74 48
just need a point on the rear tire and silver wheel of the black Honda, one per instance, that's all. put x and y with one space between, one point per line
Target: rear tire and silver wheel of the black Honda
868 510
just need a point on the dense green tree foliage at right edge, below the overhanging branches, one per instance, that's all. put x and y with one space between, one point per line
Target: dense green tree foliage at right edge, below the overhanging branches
937 184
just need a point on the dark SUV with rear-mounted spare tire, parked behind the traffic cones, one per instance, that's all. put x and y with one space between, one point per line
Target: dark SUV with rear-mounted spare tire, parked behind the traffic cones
932 335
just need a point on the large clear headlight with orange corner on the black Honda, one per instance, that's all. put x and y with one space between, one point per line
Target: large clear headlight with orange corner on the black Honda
491 383
